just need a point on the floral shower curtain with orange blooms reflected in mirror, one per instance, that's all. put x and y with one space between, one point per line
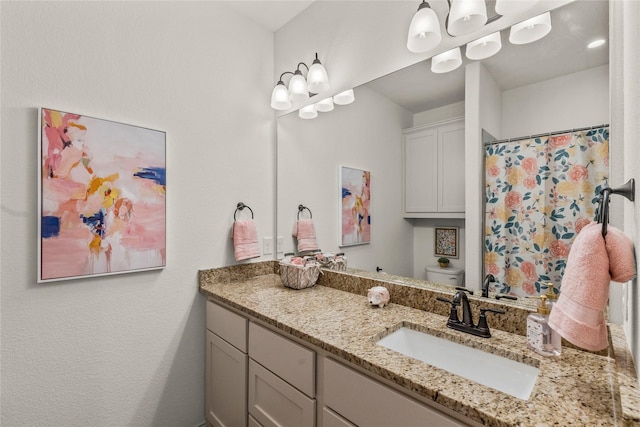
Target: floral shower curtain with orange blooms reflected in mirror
539 193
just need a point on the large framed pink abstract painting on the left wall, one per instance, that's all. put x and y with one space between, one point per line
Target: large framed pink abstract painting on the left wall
101 197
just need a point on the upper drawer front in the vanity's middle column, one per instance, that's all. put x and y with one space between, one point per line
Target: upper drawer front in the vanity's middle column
290 361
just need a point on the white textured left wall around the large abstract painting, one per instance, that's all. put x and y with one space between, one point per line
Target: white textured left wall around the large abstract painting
128 349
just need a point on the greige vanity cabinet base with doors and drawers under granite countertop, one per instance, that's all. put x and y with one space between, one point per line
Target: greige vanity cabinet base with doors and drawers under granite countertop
256 376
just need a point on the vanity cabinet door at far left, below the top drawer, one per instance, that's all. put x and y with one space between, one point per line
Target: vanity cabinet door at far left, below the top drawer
226 383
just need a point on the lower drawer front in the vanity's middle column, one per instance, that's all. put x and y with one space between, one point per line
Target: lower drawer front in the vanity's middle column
274 403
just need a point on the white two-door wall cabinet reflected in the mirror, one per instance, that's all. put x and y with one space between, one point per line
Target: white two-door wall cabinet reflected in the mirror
434 170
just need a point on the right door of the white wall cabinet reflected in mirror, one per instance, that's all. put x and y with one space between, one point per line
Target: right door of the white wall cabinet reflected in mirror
451 167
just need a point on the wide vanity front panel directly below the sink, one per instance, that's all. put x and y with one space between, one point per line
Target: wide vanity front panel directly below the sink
366 402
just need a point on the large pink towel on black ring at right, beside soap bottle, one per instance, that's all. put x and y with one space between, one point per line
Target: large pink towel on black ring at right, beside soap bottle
593 262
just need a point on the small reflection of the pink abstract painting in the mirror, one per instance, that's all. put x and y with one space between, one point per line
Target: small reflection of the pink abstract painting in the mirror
355 207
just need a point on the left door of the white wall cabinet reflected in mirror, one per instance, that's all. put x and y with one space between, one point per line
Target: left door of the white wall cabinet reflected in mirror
421 171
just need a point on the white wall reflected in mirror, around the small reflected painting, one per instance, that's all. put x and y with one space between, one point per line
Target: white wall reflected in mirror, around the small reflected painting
366 134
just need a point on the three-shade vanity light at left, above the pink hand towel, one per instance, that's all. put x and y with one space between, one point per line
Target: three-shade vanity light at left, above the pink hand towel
300 88
